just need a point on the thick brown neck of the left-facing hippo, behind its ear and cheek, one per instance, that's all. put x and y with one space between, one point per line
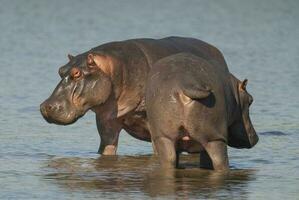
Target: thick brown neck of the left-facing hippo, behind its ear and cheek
130 68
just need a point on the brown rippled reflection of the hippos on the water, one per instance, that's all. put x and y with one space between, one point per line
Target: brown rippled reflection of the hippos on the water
142 174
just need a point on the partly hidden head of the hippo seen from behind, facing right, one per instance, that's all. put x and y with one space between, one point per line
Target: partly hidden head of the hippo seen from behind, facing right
241 132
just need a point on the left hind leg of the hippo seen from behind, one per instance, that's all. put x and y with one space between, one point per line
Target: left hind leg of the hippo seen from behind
166 152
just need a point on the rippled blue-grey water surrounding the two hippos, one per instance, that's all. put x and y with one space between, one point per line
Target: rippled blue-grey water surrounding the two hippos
259 40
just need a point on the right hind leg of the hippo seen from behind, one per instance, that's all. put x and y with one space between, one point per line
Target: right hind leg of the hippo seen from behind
217 151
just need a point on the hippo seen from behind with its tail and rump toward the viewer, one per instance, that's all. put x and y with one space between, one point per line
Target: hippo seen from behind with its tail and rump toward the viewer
193 105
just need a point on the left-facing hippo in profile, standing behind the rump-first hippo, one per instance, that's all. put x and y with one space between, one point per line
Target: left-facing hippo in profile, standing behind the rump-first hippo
111 81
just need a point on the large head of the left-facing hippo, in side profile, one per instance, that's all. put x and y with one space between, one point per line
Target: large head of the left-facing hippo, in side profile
83 86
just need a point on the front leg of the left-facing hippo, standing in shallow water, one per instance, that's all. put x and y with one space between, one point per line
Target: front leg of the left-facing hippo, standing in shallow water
109 134
